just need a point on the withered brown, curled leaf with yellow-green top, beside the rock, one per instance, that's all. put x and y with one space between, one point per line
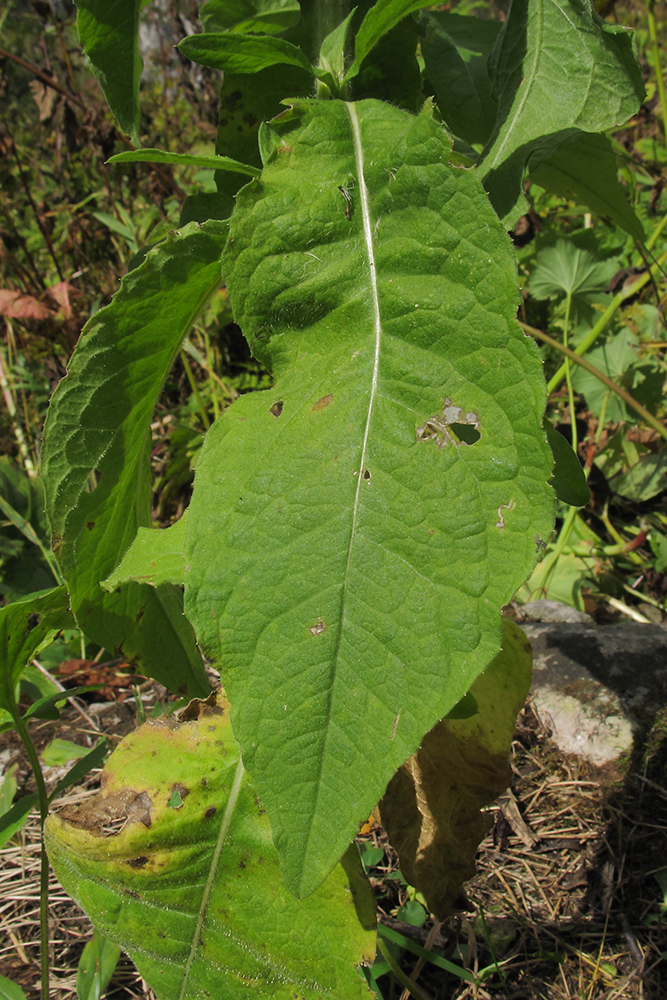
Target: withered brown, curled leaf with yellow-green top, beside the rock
431 809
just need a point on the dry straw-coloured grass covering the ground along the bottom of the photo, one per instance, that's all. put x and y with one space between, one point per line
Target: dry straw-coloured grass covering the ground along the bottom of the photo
565 904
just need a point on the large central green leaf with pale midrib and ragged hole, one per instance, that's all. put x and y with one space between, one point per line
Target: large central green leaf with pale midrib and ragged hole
347 567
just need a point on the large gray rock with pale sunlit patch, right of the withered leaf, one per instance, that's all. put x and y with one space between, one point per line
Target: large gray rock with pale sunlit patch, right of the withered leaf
593 685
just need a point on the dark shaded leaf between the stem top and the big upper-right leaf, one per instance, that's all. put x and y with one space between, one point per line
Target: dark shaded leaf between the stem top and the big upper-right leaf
456 50
